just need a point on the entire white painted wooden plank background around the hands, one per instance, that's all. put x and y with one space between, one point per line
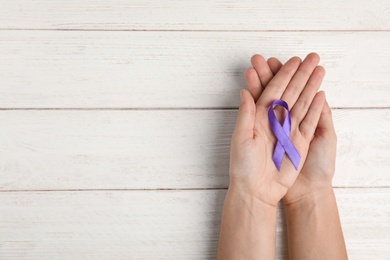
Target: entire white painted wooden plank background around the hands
116 118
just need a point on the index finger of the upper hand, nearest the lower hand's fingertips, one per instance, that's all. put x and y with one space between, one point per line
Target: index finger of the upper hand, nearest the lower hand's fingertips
278 84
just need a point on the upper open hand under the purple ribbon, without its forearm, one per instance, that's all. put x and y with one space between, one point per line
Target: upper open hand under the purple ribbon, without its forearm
252 170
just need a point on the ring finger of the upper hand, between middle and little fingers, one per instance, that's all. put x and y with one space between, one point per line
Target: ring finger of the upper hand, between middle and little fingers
301 107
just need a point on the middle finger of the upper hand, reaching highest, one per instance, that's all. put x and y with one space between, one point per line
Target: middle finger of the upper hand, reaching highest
297 84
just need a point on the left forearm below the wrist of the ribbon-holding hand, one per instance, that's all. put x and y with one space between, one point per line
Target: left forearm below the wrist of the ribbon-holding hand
248 228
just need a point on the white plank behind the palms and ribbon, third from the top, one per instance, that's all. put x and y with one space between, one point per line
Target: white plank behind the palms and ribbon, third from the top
137 149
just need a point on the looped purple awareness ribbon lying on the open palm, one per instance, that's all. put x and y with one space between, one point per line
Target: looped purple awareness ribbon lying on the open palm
282 134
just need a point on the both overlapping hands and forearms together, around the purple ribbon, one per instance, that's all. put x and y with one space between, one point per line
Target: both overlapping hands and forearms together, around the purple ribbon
249 215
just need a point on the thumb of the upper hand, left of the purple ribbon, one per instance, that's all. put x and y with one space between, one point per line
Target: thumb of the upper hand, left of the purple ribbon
246 115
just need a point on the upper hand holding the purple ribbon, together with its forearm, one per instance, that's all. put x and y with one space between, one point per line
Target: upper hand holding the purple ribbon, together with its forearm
256 186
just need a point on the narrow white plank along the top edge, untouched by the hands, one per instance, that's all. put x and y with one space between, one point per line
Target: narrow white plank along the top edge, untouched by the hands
196 15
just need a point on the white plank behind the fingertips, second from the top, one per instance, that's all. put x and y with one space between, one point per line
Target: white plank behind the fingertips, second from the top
105 69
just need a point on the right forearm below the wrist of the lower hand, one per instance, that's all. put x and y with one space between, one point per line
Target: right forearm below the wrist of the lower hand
314 229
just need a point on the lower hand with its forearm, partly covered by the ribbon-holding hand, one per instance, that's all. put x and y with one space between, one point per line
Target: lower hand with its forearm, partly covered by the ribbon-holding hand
314 229
